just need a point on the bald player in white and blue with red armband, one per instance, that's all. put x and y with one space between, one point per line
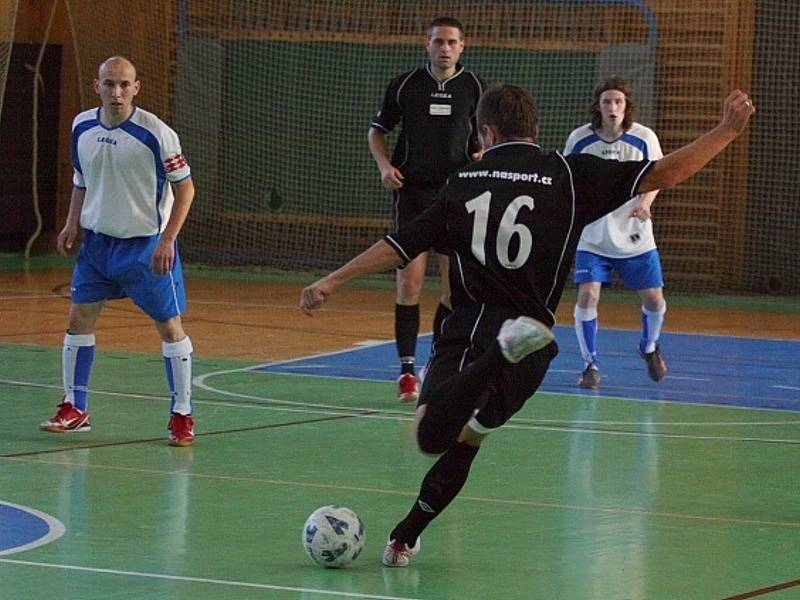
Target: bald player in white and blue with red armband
126 162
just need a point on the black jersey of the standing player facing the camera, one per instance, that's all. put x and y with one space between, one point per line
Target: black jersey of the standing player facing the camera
438 133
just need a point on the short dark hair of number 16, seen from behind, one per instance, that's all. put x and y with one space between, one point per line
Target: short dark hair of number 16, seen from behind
511 109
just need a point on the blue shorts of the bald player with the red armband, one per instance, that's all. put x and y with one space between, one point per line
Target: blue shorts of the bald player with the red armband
111 268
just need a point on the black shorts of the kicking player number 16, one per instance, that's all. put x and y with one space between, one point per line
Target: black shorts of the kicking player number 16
466 334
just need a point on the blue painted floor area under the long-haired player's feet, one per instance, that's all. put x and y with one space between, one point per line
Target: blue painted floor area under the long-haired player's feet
704 369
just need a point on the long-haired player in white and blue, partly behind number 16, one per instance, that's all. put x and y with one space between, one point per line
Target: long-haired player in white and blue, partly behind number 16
622 241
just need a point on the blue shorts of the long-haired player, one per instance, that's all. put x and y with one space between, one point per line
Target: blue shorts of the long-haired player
638 272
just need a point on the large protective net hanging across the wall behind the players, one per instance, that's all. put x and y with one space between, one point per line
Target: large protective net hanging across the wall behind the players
273 100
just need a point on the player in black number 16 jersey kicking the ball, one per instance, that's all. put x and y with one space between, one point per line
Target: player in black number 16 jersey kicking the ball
512 222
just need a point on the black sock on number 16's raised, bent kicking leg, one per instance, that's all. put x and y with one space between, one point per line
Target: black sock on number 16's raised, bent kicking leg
453 402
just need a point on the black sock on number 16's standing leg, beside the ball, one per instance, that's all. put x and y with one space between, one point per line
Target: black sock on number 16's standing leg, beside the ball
441 485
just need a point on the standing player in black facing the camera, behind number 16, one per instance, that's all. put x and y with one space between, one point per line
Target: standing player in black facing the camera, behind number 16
436 105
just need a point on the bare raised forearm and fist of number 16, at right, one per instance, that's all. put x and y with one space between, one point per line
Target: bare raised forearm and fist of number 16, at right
678 166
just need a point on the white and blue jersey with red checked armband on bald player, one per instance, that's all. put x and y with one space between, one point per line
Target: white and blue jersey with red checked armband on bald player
126 171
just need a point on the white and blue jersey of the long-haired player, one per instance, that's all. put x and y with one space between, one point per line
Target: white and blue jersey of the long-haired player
617 235
